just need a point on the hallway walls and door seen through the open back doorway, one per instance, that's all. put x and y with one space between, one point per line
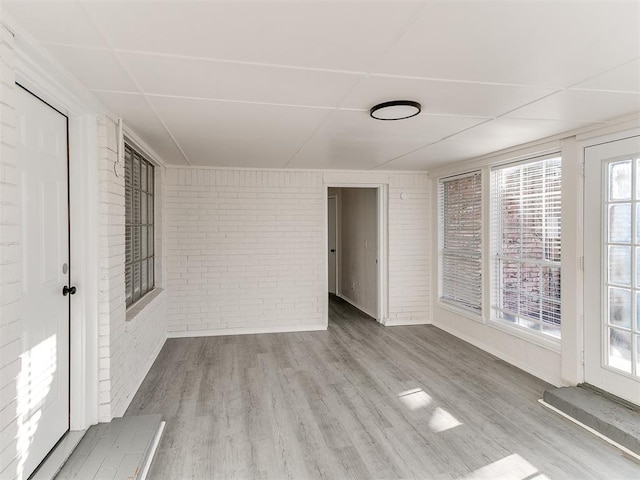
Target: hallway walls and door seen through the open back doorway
355 246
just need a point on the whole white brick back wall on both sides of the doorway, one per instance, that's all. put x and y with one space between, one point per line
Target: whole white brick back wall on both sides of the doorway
245 249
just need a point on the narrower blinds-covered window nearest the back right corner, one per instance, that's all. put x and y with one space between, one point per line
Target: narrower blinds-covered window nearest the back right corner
460 201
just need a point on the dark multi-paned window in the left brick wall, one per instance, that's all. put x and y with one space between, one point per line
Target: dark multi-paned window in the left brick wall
139 249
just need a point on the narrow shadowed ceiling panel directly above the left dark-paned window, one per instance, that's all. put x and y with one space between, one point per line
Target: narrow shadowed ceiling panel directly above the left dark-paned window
137 115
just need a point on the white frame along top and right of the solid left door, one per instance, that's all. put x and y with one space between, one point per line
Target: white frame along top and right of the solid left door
34 72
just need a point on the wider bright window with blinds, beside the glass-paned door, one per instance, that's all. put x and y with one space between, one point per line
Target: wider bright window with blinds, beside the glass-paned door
526 227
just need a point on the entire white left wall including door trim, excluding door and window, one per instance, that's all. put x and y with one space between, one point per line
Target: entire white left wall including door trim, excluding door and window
110 355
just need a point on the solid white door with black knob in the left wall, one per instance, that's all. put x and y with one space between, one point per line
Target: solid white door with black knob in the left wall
43 386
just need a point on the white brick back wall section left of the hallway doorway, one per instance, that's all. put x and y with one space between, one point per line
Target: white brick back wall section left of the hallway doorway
244 250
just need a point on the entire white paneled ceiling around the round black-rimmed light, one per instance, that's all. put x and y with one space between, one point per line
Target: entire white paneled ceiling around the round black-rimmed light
290 84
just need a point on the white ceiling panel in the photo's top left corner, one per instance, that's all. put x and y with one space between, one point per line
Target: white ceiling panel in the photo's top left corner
55 21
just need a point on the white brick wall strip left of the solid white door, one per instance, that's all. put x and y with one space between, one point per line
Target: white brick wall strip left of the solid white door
10 264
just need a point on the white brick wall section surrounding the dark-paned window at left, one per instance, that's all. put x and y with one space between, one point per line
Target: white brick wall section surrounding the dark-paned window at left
126 348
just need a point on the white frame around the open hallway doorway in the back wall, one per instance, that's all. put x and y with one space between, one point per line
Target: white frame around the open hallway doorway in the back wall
382 190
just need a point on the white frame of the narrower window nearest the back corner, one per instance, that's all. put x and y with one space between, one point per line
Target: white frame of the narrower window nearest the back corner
458 307
